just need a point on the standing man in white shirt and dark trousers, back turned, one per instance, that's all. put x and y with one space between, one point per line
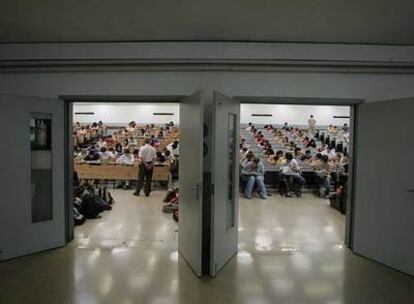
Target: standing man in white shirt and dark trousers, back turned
147 155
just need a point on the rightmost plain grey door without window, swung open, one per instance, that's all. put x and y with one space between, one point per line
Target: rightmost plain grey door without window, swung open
384 203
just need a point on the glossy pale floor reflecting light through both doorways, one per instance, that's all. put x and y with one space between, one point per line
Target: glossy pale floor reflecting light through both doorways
290 252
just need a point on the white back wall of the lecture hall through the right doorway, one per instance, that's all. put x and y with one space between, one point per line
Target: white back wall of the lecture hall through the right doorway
293 114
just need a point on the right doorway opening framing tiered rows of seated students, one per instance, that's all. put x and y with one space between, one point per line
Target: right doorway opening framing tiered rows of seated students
294 180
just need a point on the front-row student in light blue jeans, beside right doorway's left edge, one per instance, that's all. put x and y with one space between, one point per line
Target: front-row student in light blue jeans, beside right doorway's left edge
255 171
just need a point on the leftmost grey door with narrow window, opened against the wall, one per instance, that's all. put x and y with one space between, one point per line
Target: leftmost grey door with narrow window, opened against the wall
32 182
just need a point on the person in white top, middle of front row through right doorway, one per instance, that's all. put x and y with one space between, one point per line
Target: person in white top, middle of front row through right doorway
291 173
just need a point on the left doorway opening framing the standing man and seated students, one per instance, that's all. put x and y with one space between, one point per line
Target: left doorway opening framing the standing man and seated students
125 165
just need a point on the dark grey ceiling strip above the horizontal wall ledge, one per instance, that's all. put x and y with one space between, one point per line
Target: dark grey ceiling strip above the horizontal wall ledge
344 21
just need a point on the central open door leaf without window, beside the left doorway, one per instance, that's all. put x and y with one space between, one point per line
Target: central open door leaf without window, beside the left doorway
191 181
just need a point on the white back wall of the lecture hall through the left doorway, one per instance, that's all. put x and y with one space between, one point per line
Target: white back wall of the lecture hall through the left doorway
123 113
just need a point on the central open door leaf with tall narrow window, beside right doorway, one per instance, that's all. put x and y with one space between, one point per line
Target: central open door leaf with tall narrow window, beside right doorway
226 138
